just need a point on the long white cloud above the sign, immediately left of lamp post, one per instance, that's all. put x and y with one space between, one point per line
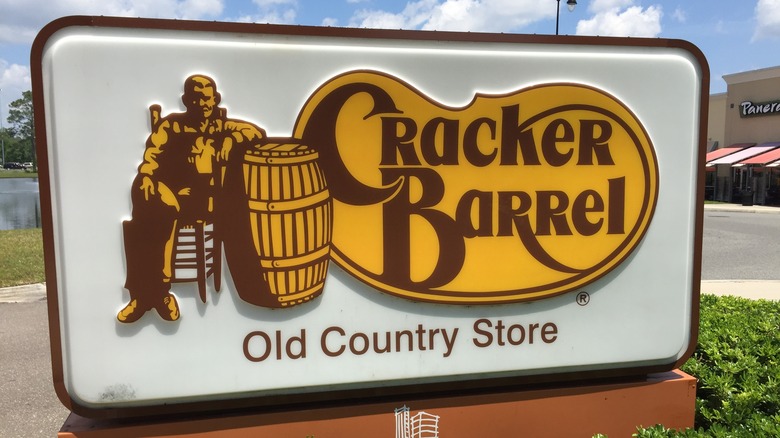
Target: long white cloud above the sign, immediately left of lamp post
461 15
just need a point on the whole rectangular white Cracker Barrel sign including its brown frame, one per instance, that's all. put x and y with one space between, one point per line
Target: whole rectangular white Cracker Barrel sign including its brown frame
239 212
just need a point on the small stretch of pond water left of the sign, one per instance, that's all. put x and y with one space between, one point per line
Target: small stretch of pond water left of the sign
20 205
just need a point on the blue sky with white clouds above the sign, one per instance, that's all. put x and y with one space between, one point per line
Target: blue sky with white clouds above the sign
734 35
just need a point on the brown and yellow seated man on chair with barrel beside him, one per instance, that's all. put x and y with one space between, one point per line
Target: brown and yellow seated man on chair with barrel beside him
208 182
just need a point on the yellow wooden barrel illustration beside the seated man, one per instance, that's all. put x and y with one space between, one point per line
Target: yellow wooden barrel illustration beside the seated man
291 219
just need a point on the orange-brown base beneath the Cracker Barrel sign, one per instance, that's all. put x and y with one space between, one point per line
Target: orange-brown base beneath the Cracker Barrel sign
613 408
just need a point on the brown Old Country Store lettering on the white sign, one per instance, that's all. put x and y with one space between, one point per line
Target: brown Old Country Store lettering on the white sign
336 341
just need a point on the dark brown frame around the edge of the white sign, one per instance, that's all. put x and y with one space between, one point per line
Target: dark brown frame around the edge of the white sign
312 400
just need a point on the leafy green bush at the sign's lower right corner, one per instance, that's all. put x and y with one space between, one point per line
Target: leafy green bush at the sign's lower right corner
737 363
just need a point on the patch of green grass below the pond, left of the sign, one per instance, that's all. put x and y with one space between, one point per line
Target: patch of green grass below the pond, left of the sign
21 257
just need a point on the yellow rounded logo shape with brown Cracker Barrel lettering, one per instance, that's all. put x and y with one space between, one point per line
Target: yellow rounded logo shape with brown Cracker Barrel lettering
513 197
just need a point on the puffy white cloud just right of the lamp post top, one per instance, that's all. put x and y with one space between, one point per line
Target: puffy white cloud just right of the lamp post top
634 21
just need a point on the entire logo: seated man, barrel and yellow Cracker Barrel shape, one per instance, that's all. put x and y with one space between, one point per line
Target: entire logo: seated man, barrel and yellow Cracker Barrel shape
509 198
